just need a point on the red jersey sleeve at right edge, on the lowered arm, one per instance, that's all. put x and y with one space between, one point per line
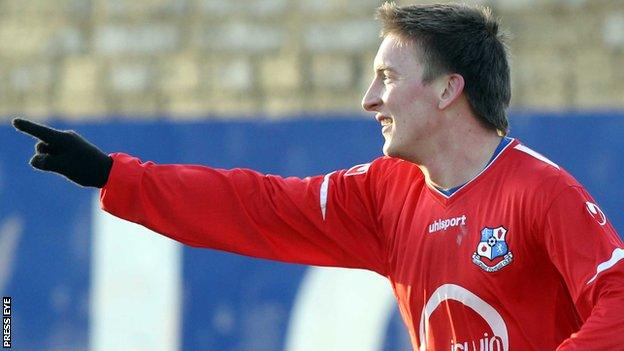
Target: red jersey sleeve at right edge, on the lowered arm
588 253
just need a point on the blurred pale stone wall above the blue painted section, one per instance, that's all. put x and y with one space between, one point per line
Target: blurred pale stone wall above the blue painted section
81 59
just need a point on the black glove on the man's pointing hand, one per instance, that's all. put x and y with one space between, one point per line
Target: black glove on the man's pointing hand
67 153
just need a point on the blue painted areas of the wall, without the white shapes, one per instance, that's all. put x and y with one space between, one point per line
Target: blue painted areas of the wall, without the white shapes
48 272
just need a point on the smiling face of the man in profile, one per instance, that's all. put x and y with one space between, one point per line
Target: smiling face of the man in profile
406 108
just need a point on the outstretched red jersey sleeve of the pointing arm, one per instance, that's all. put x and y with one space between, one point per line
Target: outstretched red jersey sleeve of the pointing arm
328 220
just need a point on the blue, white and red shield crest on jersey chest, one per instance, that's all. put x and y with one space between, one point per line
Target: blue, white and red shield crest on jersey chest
492 246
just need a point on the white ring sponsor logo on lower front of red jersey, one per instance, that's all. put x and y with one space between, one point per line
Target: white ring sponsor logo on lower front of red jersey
497 341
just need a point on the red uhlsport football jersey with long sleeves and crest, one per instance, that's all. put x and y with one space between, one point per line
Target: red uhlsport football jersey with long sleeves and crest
519 258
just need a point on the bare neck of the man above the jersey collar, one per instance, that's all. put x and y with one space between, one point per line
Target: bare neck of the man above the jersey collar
460 157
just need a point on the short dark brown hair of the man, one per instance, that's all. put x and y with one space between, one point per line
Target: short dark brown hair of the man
462 39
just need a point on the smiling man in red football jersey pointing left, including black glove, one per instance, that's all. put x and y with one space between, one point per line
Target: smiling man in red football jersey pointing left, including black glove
487 244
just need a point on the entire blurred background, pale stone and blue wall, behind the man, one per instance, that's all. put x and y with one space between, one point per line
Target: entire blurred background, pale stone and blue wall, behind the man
273 85
